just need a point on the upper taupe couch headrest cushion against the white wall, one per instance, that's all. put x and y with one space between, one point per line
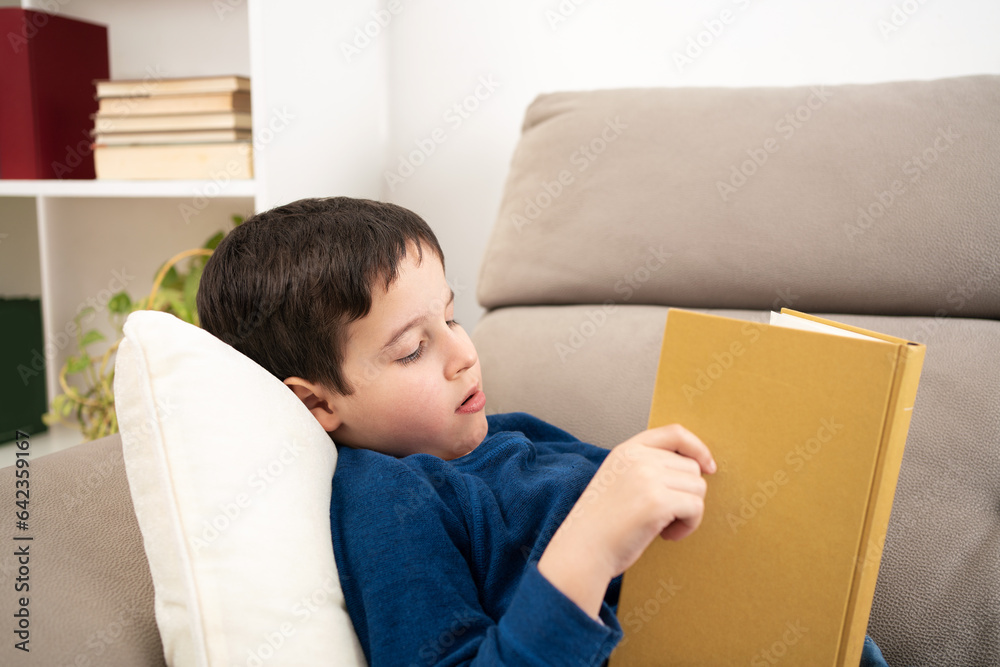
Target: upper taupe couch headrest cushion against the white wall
879 198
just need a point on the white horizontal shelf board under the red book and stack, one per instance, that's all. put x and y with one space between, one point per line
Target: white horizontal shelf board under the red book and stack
108 188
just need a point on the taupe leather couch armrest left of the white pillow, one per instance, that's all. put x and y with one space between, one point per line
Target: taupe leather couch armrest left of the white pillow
91 594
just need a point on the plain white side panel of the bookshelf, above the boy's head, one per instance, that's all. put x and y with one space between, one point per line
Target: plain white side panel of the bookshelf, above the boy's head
319 115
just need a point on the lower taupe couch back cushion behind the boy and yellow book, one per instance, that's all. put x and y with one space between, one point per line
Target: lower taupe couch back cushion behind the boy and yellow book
591 370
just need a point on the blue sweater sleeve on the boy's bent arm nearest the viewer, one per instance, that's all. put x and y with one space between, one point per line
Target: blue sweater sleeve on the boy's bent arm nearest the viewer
414 599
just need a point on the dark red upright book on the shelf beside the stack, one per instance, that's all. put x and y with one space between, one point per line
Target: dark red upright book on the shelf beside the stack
47 69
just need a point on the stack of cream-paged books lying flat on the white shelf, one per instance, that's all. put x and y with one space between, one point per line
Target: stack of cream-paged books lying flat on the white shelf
192 128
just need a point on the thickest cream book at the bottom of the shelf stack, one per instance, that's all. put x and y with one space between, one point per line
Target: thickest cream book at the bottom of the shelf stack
233 160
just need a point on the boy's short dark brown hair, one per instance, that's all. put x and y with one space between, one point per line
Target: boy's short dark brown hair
282 287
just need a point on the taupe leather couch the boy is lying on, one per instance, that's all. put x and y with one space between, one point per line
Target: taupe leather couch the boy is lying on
875 205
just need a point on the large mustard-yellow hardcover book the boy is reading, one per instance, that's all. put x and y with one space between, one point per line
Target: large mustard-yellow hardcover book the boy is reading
808 429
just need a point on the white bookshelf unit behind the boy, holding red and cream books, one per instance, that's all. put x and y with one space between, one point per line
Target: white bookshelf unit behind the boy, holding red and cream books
318 127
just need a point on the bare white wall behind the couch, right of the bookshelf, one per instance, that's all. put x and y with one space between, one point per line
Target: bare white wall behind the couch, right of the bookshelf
439 50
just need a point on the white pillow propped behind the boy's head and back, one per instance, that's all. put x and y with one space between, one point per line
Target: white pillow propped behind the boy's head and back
230 476
